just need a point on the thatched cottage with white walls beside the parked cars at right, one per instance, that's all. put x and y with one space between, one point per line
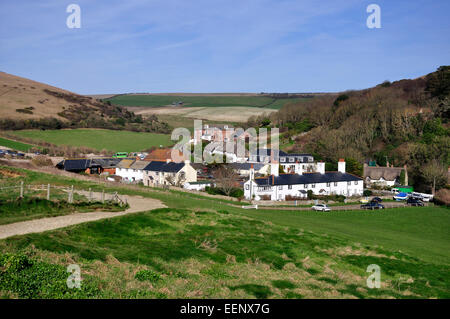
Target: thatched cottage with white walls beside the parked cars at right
384 176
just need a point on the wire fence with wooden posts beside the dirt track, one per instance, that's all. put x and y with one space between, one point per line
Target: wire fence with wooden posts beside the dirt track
56 192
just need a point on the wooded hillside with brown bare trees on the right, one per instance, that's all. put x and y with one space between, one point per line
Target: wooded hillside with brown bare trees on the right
405 122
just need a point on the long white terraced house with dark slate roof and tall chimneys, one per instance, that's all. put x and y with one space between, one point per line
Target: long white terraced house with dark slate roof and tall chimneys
278 186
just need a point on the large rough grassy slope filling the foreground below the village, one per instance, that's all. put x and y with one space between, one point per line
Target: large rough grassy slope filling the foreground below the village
202 247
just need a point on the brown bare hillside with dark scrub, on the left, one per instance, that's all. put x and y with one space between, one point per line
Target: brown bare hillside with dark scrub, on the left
29 104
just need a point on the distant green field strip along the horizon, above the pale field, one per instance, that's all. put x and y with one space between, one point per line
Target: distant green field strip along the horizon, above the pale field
204 101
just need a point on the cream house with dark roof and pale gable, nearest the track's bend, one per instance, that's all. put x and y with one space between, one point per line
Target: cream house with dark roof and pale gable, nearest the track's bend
159 173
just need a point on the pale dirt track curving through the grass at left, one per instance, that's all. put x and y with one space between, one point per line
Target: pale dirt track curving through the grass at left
137 204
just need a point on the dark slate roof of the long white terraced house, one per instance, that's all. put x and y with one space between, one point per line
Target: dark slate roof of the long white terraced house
307 178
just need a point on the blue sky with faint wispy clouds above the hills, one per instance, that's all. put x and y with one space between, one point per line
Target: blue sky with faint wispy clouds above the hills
222 46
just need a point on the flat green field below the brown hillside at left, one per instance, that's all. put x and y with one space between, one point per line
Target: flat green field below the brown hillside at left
99 139
